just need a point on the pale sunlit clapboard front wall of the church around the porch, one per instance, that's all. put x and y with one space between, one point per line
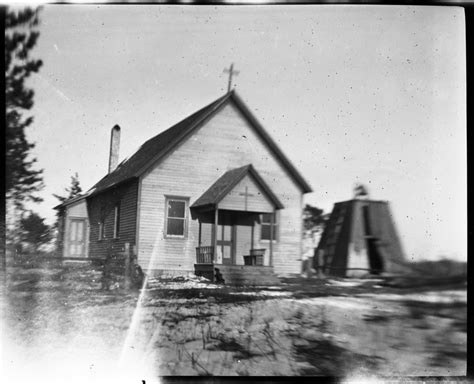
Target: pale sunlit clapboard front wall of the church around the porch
225 142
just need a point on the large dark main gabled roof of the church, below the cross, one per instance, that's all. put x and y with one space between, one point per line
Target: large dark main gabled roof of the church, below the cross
157 147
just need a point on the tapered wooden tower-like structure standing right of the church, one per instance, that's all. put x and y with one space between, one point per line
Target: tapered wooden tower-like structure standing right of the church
360 238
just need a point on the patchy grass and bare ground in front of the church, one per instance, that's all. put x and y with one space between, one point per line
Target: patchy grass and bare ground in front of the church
57 323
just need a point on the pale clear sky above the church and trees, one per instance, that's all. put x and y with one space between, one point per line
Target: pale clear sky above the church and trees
370 94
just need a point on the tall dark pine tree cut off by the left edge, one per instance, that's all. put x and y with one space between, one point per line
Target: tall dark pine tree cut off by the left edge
22 179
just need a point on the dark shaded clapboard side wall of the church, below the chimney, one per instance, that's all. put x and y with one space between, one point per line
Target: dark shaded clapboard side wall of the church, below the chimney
101 207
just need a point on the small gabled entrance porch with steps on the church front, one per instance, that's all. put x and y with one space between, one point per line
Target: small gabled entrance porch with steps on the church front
227 213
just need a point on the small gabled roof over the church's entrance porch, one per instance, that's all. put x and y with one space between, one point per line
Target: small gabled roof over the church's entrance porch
228 181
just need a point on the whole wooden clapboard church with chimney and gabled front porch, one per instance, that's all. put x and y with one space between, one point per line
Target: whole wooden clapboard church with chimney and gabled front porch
214 189
